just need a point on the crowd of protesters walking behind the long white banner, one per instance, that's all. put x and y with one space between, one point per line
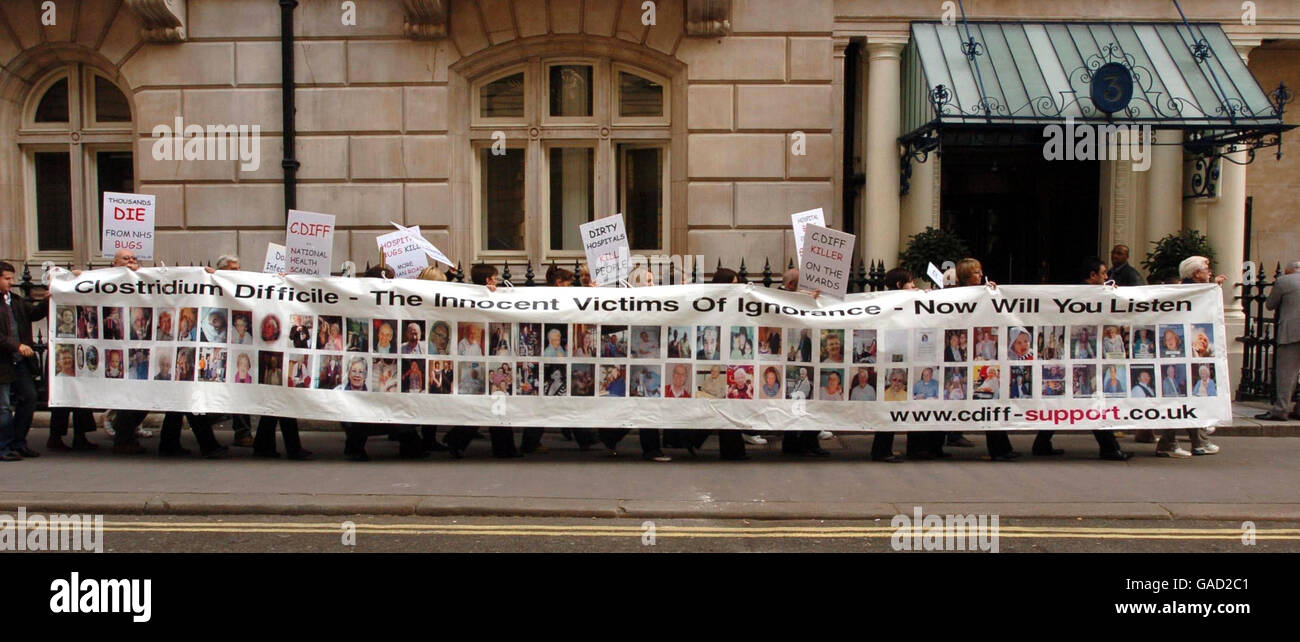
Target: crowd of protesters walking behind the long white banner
19 365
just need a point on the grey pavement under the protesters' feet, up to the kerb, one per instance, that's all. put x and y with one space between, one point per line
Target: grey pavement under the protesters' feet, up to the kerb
1253 479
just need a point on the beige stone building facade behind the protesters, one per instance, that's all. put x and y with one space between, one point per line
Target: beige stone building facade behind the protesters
708 124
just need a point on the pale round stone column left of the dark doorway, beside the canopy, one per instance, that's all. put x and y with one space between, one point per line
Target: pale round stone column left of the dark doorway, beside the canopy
881 219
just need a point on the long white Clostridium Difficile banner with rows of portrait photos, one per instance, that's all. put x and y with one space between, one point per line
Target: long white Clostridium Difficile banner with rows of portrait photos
701 357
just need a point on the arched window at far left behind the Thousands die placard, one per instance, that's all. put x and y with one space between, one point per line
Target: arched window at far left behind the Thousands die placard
76 140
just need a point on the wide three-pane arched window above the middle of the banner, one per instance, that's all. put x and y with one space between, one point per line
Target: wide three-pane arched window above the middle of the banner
560 142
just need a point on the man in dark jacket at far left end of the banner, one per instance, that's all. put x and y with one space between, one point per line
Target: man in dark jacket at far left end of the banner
18 366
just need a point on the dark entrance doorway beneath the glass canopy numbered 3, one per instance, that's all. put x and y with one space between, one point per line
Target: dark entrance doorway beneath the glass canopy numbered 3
1026 219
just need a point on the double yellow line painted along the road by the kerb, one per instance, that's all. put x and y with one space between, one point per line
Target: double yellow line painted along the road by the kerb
666 531
